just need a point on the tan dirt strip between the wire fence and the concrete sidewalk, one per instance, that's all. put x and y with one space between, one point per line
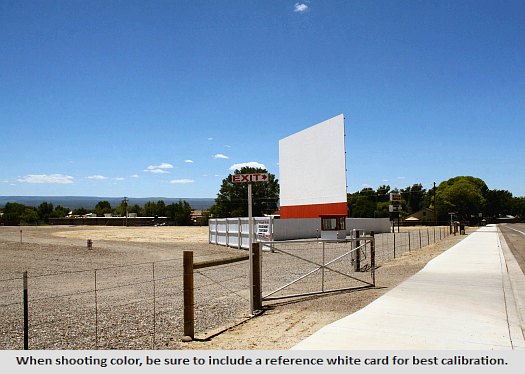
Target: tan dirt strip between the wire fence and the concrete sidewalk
284 324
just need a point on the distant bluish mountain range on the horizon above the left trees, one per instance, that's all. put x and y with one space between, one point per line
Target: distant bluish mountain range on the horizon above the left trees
89 202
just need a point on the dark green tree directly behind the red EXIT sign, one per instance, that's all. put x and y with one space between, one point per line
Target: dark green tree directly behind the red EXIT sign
232 199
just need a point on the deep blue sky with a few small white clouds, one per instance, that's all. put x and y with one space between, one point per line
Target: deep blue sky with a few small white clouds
163 98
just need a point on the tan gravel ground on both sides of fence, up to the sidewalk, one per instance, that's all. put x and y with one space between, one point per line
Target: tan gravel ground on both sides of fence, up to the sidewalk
126 293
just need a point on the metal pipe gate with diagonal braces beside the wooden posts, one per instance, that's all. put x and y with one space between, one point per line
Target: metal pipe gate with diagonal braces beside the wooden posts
309 267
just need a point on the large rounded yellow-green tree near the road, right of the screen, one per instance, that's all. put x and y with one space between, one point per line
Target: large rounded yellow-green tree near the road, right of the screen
464 195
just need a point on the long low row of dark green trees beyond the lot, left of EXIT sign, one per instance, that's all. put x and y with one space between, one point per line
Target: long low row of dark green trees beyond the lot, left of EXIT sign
15 213
